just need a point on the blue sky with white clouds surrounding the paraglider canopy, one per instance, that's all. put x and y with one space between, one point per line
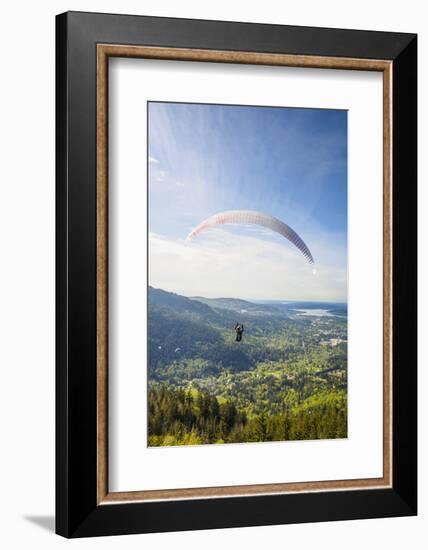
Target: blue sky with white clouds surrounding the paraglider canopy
285 162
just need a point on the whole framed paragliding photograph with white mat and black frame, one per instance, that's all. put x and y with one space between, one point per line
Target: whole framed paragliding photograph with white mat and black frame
236 274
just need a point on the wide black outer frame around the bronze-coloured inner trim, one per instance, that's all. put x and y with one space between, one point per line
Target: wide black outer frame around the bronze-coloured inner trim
77 511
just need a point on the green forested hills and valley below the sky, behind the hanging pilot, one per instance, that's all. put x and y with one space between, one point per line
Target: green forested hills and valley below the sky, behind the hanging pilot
286 380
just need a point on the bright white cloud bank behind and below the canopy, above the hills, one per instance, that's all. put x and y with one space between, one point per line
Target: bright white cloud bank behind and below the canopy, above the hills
246 265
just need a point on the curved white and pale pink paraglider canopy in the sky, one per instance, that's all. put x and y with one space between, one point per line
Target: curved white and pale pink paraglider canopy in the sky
254 218
